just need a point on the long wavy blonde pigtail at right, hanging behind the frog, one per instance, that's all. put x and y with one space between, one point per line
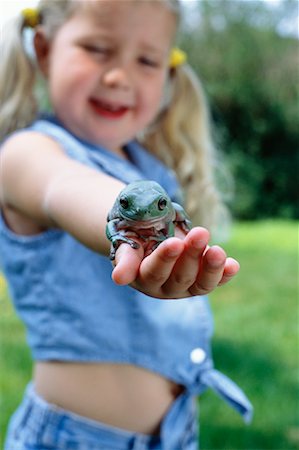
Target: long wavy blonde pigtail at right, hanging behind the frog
182 139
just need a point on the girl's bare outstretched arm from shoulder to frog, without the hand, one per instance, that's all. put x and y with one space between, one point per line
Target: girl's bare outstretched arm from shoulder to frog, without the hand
39 181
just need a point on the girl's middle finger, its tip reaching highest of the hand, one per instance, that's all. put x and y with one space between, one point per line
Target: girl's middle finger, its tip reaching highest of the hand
187 266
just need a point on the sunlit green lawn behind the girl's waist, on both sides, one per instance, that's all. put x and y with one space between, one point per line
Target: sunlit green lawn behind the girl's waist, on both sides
256 344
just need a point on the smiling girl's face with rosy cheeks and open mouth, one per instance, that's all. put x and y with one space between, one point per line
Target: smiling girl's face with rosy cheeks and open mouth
107 67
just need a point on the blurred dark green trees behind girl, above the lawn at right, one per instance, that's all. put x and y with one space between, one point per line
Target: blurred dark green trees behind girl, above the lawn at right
250 71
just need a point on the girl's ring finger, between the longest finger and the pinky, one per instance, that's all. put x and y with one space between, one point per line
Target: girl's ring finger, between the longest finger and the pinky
211 272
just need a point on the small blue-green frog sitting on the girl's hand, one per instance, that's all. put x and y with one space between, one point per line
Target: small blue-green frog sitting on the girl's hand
144 210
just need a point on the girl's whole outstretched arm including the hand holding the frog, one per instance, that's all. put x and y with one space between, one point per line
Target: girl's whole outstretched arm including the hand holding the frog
42 184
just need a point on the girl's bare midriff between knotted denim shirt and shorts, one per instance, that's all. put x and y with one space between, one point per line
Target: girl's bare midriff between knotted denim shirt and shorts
119 395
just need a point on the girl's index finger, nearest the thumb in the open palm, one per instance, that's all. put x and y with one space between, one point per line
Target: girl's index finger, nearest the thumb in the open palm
156 268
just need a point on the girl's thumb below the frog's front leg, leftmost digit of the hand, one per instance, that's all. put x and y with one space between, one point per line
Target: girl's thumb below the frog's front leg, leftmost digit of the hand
127 262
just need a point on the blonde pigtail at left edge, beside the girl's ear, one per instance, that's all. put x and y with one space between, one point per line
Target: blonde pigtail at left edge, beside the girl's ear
17 77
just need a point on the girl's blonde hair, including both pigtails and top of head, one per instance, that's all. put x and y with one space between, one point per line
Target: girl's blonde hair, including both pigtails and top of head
180 137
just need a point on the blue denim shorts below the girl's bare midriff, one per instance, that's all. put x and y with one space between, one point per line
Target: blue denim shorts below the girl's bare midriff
38 425
